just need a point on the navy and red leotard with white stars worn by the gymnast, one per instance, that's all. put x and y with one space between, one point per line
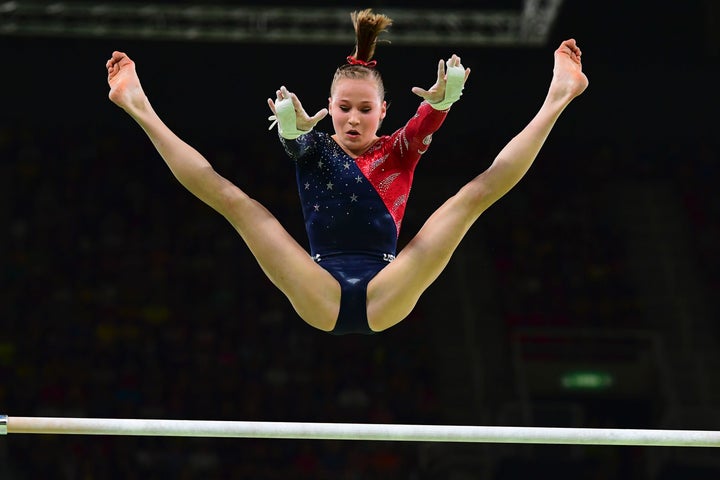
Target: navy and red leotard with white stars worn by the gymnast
353 208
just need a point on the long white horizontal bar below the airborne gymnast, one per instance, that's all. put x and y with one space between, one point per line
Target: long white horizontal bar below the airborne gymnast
359 431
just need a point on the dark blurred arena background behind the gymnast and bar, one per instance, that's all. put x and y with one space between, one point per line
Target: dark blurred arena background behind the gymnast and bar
124 296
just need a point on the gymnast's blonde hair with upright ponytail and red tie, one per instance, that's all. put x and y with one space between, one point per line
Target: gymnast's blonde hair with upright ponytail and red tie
368 27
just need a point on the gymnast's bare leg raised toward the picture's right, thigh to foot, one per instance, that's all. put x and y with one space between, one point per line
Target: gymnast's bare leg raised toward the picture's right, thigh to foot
395 290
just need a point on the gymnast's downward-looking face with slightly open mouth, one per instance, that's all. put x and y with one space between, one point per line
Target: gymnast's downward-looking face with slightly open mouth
357 110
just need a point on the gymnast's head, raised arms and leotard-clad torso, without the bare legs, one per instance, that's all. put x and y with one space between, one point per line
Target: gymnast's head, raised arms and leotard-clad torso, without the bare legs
354 185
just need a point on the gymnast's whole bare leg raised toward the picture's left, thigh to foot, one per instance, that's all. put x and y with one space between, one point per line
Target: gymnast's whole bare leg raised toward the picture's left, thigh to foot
313 292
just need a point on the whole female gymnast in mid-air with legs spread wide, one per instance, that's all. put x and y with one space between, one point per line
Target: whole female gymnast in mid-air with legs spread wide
390 290
